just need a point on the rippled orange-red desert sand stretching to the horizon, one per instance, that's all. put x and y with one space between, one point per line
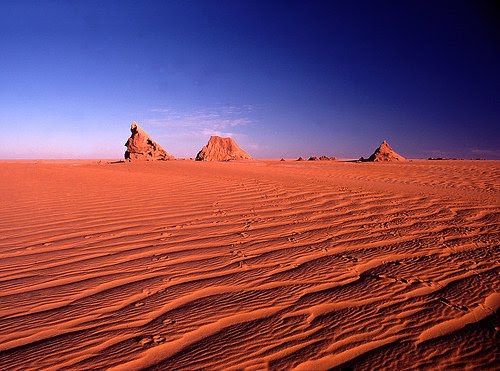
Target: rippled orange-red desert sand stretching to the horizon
249 265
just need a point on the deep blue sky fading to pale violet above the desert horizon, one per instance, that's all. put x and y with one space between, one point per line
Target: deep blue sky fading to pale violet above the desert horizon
285 78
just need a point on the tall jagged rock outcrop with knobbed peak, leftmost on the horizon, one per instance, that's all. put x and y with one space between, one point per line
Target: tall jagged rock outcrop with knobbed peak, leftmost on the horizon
141 147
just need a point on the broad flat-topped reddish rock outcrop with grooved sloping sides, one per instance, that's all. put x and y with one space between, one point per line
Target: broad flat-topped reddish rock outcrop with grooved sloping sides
222 149
